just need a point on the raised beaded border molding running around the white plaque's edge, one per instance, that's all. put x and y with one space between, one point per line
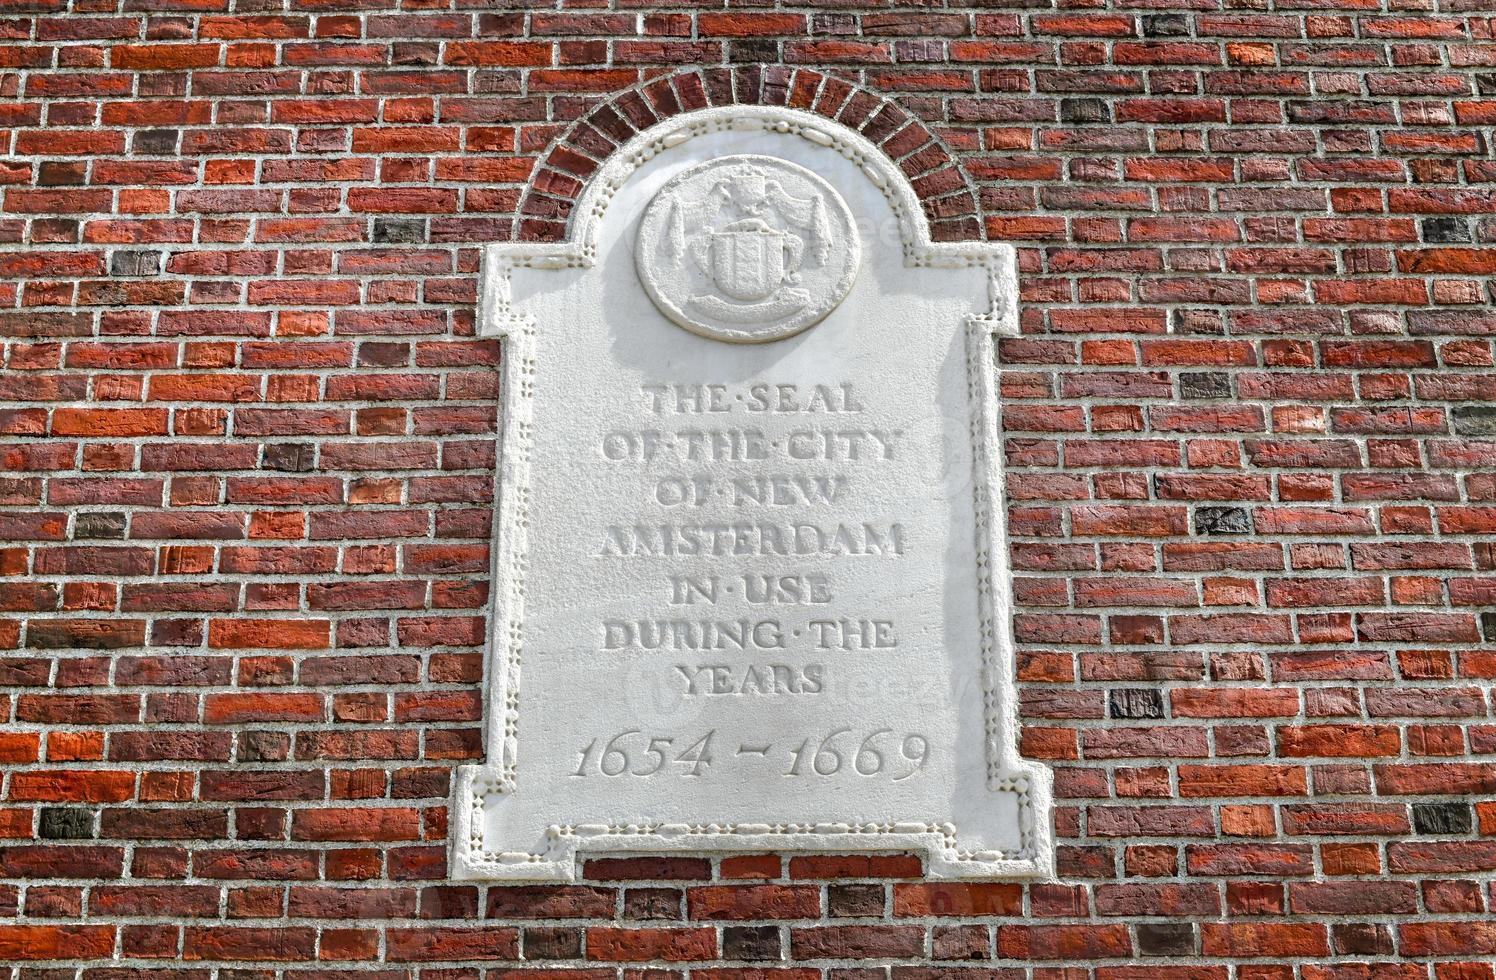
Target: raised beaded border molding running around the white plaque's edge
499 318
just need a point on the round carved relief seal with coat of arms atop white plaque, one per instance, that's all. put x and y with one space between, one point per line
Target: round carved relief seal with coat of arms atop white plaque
747 249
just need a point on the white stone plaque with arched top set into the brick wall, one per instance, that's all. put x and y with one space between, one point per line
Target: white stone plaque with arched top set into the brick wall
752 596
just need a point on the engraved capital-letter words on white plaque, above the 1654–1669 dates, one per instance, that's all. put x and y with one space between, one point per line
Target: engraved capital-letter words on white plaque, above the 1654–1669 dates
743 496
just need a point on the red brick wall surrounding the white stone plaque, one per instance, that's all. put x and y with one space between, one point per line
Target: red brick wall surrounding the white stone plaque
249 450
